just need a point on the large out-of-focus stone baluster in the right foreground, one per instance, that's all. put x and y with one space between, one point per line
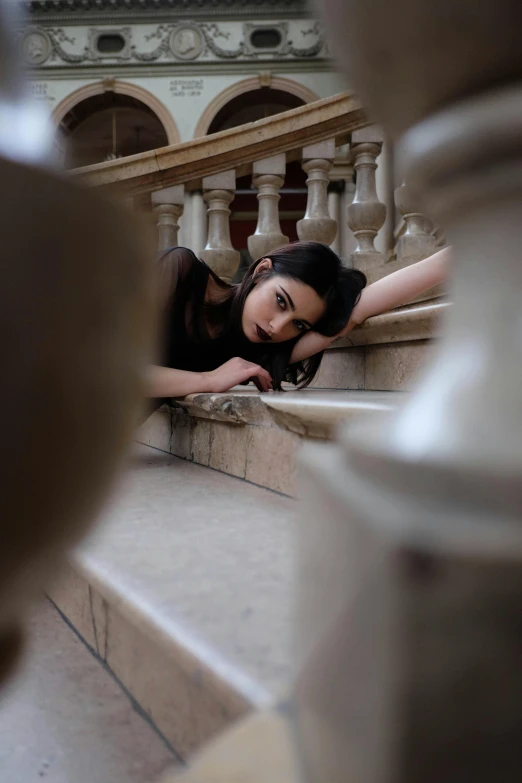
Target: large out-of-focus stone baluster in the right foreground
411 544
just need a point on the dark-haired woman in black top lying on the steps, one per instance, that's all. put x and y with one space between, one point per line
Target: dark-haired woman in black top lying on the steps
275 324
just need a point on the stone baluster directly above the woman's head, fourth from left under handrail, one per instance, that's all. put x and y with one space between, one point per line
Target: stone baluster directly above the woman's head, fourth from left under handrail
317 225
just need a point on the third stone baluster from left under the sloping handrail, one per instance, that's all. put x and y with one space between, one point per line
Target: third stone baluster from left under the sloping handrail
268 177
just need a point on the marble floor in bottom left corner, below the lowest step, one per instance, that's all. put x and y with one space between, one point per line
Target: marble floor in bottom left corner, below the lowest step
64 719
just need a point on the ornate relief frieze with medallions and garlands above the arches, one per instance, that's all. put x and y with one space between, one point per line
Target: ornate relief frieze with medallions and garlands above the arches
179 42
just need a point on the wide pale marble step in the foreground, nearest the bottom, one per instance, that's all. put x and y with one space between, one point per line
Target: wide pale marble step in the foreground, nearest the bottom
184 594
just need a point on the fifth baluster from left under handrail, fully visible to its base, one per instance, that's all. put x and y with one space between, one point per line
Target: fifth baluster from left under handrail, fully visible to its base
366 214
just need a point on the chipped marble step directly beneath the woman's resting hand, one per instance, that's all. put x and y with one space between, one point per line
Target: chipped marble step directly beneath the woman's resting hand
255 436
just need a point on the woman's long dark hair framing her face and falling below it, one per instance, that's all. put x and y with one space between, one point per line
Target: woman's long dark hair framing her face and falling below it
313 264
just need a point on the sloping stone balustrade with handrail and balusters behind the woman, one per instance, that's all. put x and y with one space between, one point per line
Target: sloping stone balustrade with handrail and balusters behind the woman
201 175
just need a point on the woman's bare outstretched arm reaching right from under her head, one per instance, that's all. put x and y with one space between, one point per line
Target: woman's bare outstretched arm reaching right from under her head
386 294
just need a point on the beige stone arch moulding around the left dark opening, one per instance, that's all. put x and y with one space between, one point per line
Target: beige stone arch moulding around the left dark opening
121 88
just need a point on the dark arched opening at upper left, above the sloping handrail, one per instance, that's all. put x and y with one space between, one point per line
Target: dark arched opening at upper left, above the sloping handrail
109 125
